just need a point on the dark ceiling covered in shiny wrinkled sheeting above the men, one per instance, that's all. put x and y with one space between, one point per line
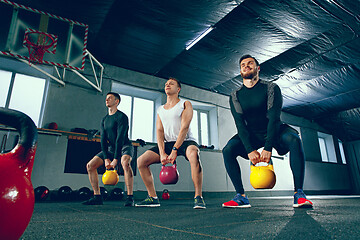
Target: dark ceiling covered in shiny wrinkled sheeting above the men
310 48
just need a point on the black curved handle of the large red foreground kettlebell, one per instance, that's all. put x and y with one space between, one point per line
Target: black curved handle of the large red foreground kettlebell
23 124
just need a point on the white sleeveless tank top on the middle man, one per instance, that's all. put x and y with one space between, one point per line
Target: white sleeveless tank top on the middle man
171 121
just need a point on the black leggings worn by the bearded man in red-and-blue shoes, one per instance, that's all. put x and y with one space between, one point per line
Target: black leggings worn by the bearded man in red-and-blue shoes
288 140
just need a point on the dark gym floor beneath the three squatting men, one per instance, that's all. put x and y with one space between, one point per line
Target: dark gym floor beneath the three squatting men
333 217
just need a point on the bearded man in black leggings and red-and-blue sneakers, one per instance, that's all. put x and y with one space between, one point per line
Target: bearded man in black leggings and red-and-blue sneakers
256 108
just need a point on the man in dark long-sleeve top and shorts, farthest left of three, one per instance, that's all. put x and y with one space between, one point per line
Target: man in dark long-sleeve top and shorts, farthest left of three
115 145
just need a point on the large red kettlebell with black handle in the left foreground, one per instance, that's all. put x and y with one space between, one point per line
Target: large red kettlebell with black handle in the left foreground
16 190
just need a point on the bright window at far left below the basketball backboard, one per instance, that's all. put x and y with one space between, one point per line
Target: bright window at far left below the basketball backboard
23 93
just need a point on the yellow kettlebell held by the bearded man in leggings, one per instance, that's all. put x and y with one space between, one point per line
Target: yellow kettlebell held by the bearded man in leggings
262 177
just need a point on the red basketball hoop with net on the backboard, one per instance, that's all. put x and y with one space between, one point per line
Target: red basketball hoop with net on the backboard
38 43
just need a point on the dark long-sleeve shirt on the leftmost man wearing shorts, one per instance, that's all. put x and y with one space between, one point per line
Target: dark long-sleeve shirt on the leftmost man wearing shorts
114 134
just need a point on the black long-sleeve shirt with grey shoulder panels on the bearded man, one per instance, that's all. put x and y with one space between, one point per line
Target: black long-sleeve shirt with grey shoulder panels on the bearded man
257 111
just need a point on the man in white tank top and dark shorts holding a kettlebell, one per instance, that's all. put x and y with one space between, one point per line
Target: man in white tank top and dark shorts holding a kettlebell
174 138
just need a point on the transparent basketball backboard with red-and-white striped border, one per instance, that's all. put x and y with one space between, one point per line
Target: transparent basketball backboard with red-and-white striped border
69 49
